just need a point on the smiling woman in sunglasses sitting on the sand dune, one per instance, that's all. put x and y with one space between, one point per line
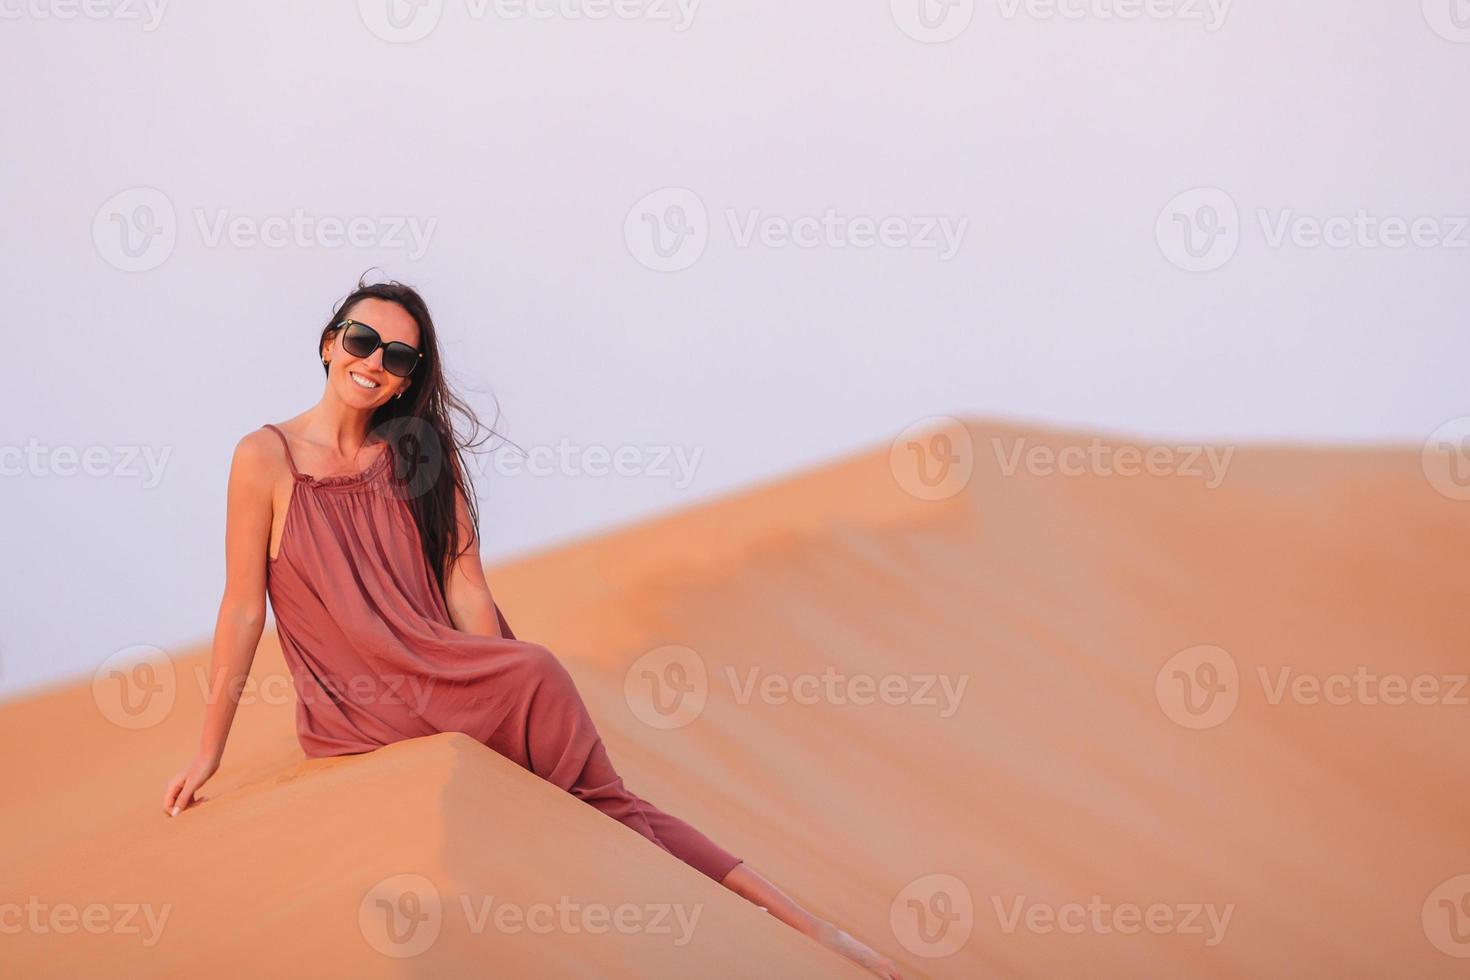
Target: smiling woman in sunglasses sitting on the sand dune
381 603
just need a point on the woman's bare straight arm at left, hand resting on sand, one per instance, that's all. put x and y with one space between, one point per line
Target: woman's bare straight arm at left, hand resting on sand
242 610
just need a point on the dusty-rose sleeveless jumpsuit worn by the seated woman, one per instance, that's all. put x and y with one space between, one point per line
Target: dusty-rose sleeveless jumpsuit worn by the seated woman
376 657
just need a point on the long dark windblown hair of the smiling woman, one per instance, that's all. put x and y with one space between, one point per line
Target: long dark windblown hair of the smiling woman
420 428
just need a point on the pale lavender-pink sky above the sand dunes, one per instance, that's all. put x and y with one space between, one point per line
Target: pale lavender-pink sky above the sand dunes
742 239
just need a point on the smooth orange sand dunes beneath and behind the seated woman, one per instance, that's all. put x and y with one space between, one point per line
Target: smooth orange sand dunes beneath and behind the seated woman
999 718
